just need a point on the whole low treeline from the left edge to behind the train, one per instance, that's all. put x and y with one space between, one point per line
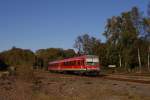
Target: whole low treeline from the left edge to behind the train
17 57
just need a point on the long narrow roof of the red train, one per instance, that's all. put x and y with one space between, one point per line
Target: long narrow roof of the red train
73 58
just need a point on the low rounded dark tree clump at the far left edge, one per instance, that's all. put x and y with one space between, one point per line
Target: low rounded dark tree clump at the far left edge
17 56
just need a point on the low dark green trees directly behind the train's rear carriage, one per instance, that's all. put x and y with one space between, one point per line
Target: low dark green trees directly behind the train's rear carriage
51 54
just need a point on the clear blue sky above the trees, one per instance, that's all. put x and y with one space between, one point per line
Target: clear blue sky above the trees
36 24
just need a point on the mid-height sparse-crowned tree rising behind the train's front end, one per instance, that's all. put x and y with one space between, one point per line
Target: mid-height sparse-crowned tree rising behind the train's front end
86 44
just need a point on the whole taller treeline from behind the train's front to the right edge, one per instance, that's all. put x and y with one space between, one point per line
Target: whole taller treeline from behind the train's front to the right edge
127 41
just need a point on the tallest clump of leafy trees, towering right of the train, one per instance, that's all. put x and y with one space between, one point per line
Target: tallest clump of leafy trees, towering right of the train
124 36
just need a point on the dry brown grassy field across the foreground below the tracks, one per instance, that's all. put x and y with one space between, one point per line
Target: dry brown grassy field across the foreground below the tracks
51 86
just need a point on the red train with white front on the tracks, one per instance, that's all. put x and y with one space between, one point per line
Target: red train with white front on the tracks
87 64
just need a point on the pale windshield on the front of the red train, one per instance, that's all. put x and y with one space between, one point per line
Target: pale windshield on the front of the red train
92 60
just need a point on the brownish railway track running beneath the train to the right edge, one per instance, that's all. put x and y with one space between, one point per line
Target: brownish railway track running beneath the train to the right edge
136 79
